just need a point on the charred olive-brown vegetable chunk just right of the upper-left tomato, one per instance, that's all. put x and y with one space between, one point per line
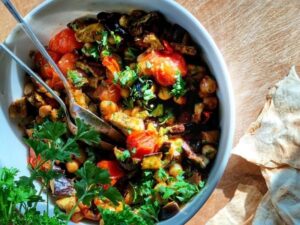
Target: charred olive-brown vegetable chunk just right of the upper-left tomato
90 33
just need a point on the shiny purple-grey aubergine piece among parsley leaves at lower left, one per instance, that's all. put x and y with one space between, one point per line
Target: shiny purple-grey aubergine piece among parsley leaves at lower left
62 187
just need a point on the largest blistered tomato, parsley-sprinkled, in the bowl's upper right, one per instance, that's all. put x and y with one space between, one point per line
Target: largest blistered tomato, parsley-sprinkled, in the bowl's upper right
163 65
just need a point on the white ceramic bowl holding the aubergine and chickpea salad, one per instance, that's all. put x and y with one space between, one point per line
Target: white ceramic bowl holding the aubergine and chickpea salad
50 17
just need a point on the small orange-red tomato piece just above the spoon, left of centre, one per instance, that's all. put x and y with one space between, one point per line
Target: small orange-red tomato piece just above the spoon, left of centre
109 92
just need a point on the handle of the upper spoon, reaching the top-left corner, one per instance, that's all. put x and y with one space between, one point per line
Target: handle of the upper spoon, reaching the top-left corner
37 43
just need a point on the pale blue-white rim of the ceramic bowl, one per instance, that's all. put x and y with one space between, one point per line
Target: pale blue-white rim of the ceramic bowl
205 193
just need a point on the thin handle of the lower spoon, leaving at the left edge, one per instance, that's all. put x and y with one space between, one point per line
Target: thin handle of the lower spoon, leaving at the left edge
33 75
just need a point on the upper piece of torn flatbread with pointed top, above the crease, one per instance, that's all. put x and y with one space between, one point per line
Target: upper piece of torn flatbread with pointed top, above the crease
274 138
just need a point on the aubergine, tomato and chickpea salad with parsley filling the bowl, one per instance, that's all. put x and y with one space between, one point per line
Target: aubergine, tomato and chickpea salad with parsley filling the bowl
146 77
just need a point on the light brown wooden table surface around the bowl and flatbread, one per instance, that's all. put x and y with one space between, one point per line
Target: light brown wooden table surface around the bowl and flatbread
260 41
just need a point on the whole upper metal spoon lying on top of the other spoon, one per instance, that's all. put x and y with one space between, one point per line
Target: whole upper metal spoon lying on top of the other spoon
76 111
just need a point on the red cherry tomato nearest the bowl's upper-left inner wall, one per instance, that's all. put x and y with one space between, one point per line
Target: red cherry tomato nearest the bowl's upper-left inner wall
64 42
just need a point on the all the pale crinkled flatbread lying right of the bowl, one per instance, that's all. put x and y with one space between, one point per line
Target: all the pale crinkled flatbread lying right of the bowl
273 143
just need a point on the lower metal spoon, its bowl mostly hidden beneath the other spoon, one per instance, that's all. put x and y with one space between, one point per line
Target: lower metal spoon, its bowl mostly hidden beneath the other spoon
103 144
